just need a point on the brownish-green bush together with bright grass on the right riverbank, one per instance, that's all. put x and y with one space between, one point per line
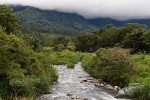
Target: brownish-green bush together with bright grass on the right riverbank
117 67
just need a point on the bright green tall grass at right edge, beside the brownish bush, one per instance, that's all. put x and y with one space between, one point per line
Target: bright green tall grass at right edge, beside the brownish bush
142 76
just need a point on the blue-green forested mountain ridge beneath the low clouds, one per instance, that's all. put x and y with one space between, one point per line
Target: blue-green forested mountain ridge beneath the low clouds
54 22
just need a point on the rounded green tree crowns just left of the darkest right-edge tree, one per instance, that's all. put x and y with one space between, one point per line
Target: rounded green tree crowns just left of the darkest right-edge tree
110 36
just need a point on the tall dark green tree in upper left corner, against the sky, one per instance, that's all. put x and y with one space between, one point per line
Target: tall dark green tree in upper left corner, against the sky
8 20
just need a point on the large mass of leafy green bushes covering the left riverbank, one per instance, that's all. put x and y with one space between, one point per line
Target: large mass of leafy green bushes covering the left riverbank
23 72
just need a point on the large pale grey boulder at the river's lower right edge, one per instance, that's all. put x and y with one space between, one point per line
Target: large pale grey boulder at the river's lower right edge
127 91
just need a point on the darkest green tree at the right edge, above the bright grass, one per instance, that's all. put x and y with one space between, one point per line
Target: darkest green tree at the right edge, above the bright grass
138 40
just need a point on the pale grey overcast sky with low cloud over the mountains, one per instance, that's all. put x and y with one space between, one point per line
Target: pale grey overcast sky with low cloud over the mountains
116 9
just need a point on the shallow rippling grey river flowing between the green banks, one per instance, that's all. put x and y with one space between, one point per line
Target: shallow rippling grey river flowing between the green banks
72 85
